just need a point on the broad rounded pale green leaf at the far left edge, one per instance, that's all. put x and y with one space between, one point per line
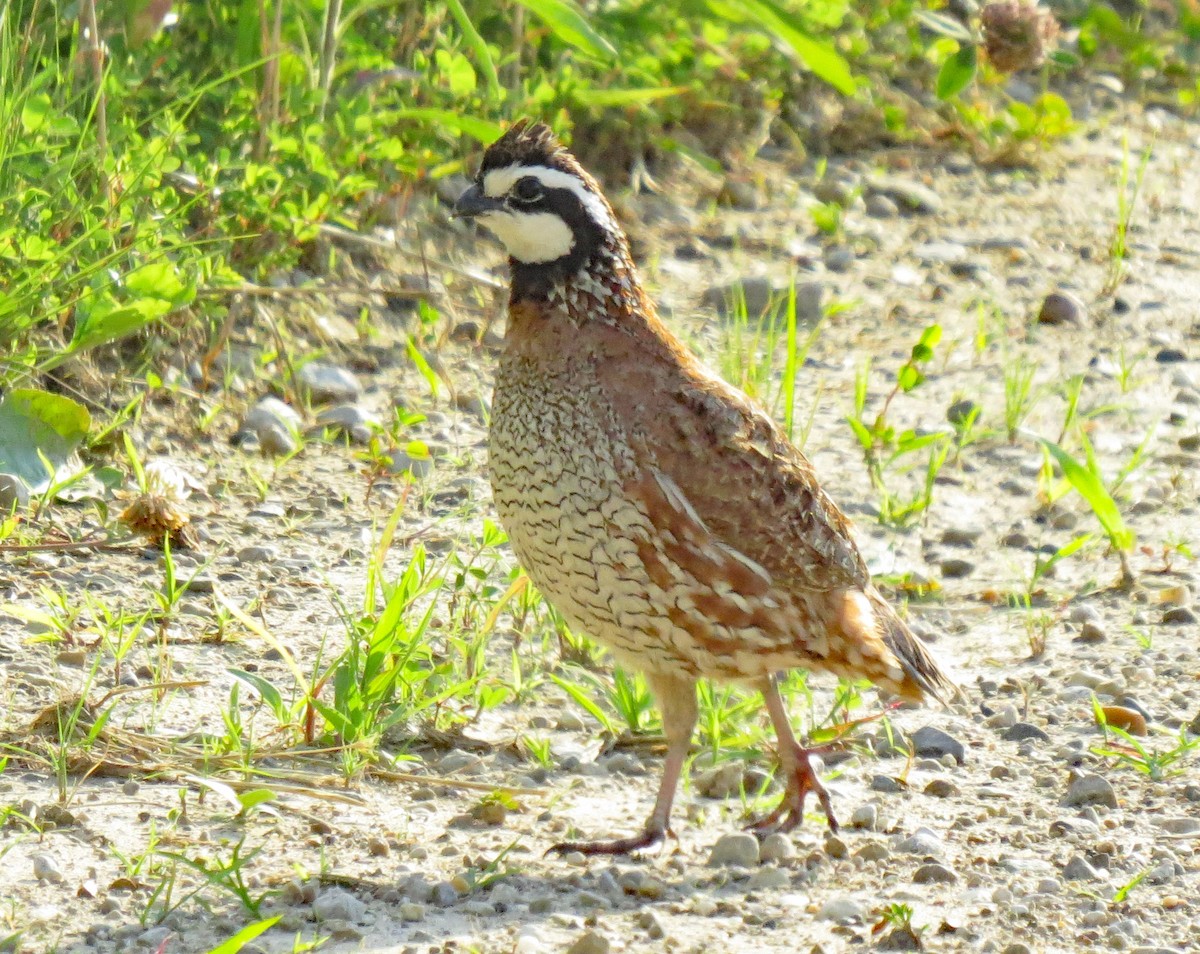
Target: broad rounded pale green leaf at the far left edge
40 429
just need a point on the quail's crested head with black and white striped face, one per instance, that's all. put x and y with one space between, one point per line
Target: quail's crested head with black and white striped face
539 202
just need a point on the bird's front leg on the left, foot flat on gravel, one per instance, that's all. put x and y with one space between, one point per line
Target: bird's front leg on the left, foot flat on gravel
677 700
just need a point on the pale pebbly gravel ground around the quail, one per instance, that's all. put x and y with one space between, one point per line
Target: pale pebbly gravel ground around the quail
994 821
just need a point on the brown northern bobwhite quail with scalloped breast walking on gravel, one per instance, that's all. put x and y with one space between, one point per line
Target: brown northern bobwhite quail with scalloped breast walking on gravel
659 509
